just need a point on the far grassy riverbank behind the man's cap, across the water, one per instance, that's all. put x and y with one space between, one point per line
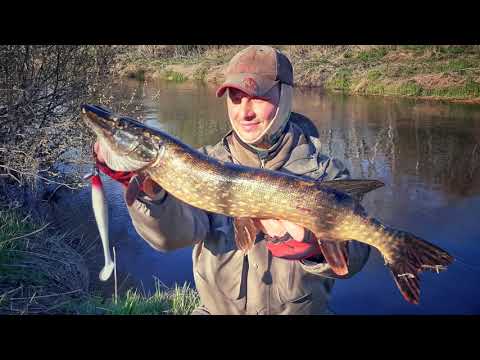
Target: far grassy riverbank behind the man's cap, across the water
449 73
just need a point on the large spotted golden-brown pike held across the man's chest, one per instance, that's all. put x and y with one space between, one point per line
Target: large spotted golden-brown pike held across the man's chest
330 210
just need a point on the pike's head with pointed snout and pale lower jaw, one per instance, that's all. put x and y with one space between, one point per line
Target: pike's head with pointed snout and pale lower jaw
127 144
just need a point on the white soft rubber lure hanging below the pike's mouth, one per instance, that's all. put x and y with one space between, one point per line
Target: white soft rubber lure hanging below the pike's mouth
100 210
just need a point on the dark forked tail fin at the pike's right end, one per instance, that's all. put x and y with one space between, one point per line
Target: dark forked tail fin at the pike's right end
417 255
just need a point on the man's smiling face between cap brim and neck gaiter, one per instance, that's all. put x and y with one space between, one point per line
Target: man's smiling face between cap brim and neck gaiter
251 115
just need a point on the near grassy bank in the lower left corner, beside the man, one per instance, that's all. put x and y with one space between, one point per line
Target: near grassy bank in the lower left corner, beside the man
42 272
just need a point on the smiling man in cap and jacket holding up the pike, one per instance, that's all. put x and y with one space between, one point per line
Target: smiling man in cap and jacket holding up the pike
285 270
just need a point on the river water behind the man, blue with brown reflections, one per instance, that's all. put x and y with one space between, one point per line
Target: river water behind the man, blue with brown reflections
427 154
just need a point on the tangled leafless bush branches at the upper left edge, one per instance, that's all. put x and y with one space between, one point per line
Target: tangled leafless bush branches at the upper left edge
41 87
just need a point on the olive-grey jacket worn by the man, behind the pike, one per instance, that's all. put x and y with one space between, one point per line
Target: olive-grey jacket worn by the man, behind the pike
230 282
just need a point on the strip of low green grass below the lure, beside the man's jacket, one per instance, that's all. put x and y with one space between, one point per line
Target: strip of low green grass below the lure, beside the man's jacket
180 300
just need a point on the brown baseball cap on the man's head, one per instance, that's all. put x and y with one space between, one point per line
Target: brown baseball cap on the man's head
256 69
